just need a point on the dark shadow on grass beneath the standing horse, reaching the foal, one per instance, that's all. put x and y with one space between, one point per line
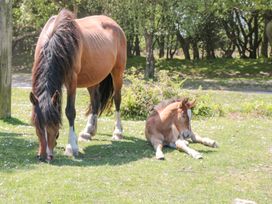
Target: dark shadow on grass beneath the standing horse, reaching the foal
117 153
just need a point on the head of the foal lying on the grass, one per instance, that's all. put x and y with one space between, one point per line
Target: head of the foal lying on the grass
184 116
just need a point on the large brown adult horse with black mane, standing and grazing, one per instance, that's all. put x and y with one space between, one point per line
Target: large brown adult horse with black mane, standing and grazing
88 52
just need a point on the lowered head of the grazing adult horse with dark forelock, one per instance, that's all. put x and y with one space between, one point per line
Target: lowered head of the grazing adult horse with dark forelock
47 129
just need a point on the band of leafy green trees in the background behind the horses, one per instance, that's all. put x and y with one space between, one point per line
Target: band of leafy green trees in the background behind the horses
191 29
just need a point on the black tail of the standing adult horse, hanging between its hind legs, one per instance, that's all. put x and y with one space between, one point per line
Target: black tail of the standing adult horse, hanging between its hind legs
106 91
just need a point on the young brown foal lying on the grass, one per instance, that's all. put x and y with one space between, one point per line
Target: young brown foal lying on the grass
169 124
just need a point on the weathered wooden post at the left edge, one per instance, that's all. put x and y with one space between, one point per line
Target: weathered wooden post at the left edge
5 57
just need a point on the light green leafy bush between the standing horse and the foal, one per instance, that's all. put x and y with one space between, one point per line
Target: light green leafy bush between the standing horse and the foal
139 96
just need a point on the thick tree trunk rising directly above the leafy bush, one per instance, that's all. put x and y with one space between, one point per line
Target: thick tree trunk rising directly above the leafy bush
150 65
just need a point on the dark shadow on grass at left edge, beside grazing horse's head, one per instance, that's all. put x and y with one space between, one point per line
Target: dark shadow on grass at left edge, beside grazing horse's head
16 152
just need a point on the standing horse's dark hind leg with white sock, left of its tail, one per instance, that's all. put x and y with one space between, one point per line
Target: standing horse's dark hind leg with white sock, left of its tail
91 126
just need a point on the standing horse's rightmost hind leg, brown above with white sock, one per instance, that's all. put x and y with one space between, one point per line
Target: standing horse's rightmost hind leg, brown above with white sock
117 83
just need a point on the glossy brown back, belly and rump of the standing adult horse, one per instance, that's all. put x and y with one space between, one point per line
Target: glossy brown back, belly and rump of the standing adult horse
104 48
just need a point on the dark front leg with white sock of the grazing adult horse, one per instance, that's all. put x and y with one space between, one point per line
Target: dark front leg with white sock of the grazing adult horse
71 147
